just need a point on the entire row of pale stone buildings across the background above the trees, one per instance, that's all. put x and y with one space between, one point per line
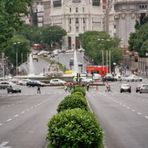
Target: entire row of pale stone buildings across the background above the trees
116 17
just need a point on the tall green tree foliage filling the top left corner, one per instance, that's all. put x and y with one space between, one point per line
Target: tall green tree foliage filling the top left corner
10 18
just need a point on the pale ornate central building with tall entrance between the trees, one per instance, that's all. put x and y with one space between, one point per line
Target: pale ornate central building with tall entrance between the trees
76 16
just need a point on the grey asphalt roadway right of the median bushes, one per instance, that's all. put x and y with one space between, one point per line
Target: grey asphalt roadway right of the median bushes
123 116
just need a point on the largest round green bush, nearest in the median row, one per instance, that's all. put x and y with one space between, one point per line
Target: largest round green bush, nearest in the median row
75 128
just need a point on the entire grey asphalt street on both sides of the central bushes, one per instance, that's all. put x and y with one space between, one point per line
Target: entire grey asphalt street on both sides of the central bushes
123 116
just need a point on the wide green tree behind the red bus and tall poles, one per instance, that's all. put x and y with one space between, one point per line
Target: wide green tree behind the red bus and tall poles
95 42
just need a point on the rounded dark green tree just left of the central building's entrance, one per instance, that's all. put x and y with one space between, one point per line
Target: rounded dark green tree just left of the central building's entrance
52 35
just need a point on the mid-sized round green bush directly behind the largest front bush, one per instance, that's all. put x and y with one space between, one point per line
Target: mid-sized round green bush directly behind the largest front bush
71 102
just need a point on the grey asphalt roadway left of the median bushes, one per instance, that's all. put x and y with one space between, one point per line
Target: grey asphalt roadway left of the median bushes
24 117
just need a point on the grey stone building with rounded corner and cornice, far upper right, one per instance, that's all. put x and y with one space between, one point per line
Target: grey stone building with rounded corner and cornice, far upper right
127 12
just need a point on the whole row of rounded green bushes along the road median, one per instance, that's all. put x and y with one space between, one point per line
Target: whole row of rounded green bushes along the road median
74 126
